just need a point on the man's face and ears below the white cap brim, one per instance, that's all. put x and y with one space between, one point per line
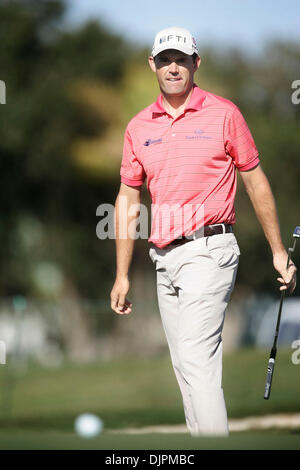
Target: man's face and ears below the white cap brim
174 71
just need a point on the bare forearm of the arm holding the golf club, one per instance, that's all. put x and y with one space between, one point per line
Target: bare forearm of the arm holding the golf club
264 205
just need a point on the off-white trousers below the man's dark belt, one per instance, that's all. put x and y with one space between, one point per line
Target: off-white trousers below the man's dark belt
194 284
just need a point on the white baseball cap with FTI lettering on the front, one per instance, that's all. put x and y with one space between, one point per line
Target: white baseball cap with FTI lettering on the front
174 38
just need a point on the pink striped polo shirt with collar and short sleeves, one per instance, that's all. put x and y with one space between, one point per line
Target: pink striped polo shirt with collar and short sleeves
189 162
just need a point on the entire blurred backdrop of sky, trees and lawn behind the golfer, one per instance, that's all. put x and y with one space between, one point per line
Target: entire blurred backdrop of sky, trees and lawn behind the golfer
75 73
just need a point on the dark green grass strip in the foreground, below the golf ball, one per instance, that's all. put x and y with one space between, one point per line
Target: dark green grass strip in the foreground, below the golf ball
272 440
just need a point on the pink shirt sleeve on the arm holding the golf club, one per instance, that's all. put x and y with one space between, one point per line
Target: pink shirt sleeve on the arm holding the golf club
239 143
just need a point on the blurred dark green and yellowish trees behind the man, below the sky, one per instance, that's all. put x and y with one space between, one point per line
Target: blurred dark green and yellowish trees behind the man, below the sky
70 94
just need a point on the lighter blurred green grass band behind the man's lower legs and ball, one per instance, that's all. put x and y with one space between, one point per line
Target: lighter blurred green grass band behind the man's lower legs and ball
138 392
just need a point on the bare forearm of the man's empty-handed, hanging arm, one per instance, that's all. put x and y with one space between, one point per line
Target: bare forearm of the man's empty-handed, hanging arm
125 224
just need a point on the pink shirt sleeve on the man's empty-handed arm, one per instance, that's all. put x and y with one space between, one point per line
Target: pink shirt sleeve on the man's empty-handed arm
132 172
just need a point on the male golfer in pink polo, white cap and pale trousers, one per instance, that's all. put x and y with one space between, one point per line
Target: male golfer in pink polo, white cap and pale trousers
188 144
